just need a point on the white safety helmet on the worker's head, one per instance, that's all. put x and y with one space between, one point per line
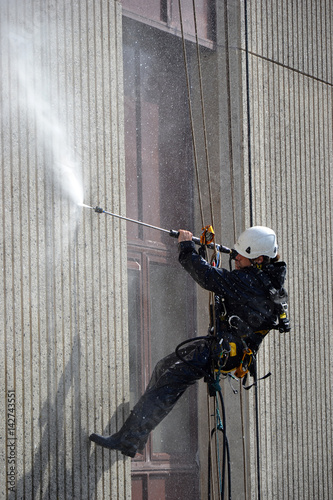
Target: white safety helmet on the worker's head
256 241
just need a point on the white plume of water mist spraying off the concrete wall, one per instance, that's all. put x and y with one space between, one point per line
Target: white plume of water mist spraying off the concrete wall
39 99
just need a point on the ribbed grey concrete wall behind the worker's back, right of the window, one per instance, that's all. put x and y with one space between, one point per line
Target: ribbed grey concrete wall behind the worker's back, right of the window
290 100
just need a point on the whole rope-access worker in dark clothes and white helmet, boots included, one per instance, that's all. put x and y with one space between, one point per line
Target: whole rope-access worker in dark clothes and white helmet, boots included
250 301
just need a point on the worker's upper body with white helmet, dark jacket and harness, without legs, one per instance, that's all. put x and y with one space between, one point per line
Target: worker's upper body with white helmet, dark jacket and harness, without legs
249 301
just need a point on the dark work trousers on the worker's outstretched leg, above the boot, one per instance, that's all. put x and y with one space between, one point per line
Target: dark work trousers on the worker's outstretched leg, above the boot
170 378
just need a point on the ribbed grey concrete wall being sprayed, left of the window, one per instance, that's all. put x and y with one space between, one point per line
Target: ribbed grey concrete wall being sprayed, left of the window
63 305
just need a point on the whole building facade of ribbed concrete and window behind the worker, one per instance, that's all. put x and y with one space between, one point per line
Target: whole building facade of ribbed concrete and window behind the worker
174 119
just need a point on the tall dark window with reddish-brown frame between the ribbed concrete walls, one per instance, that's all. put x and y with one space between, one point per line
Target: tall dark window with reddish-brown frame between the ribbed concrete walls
159 185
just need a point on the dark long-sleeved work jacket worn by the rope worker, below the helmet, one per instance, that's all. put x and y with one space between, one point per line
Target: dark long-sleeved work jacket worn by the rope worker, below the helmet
252 297
